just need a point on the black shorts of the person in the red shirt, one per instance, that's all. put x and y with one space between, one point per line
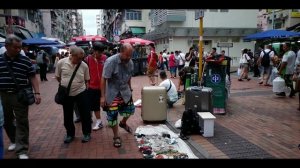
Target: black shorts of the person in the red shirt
94 99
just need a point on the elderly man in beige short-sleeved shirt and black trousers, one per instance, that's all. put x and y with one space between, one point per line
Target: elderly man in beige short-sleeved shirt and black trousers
78 94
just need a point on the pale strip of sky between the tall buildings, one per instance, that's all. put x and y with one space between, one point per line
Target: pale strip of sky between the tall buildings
89 21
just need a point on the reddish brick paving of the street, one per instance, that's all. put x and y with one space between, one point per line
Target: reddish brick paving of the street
269 123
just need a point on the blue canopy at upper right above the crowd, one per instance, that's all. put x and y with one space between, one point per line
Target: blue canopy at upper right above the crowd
272 34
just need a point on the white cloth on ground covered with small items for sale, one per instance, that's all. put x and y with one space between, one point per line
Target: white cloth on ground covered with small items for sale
159 142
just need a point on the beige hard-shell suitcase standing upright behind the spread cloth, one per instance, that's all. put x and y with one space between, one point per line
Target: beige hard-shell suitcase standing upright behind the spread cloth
154 103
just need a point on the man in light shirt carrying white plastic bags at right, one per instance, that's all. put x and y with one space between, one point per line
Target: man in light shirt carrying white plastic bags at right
287 68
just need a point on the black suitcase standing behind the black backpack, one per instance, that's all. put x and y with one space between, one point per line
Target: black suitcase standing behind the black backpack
199 99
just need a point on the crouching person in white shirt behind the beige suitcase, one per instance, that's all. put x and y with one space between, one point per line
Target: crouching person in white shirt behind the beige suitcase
171 89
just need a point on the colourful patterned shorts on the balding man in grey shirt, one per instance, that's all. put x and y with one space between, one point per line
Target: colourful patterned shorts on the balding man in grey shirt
118 106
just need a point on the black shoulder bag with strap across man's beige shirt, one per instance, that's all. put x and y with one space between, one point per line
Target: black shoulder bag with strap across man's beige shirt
63 92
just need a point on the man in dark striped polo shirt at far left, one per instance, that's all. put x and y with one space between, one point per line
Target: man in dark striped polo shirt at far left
14 110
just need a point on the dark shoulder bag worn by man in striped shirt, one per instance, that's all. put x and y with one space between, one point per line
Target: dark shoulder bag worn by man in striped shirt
24 95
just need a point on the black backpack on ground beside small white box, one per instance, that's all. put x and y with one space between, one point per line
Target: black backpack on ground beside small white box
190 123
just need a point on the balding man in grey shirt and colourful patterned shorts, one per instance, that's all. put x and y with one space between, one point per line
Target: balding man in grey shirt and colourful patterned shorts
117 91
